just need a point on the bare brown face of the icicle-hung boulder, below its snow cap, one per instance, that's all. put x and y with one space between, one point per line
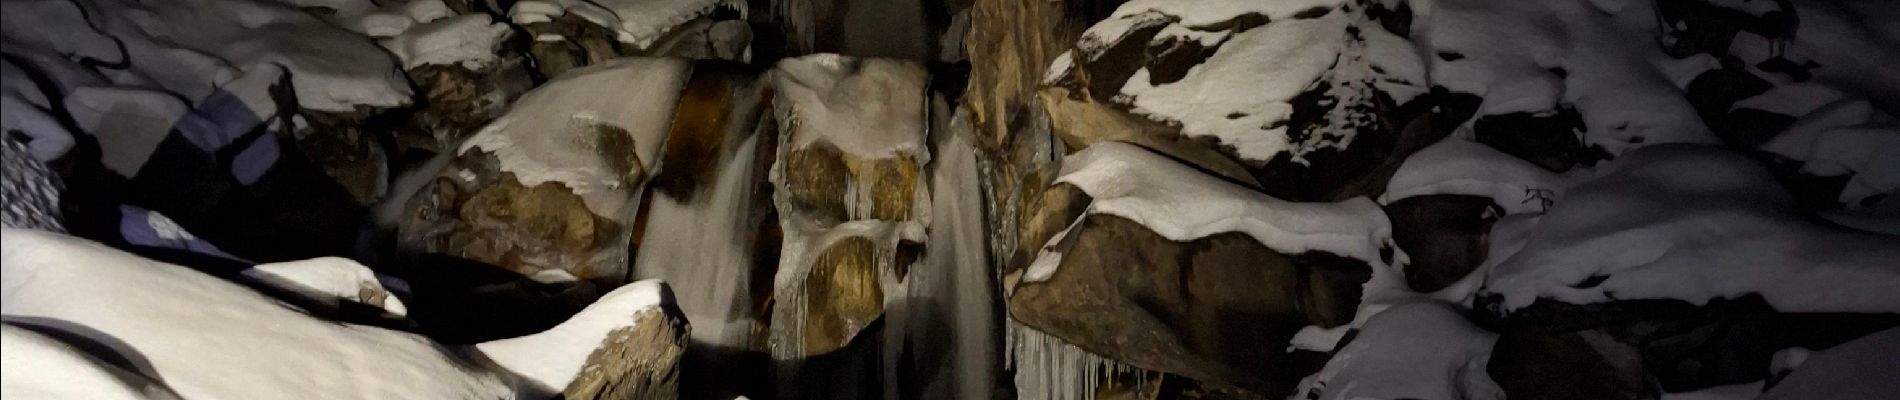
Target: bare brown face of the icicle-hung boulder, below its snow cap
1219 310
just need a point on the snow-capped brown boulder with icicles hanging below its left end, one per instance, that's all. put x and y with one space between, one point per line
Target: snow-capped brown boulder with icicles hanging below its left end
1154 264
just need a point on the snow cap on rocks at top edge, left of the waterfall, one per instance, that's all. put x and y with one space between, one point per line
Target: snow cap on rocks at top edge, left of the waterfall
634 22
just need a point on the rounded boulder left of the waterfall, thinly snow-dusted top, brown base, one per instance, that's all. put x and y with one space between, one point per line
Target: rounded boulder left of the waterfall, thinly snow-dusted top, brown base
554 185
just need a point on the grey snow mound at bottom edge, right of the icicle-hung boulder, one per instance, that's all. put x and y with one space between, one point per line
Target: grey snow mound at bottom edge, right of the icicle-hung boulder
1411 352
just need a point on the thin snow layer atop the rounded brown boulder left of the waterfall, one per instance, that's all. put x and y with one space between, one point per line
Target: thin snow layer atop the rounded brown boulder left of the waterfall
550 134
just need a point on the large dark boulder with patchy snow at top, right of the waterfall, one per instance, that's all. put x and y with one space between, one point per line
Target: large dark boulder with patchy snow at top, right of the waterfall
1327 120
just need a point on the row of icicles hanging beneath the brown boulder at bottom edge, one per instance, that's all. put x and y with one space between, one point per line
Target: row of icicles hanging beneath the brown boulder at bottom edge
1050 369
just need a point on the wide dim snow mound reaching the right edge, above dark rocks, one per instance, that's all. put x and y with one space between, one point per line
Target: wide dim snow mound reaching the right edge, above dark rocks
1696 223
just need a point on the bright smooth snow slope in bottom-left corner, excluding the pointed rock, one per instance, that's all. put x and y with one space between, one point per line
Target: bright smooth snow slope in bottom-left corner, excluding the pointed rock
210 338
